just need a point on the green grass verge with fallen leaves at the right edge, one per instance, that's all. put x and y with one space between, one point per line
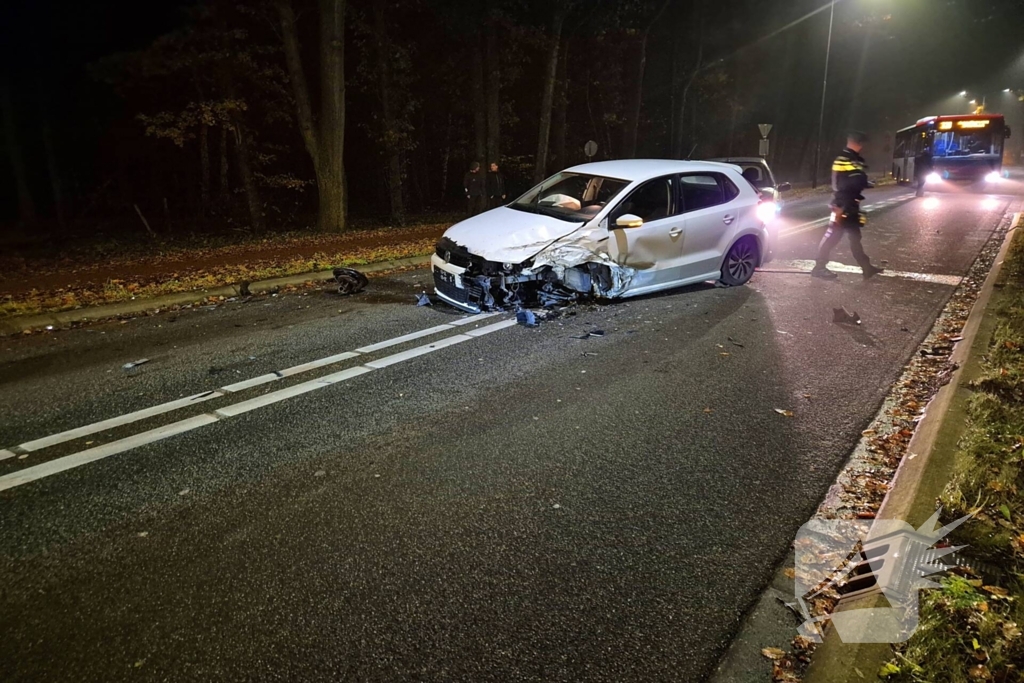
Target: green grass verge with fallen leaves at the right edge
971 628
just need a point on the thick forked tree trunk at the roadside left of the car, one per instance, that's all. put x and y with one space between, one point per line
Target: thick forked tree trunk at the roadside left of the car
325 141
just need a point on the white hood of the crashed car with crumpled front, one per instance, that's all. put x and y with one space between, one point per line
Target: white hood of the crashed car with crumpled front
508 236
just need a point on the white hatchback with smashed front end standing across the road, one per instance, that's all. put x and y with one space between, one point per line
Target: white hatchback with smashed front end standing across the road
608 230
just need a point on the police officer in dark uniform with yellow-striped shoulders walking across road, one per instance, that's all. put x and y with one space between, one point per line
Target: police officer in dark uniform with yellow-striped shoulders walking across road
849 182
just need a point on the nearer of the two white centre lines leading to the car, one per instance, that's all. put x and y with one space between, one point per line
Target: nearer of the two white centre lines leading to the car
92 455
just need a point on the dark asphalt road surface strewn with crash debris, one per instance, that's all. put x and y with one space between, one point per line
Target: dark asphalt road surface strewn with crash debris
513 505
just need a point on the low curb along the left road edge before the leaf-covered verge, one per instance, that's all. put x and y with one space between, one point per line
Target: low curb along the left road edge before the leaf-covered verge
19 325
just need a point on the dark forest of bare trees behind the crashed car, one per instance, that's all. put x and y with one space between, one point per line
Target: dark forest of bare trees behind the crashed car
271 115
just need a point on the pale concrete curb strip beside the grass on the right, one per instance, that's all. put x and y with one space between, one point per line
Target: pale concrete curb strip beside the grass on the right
914 489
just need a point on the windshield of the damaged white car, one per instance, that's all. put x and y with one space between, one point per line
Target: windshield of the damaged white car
571 197
